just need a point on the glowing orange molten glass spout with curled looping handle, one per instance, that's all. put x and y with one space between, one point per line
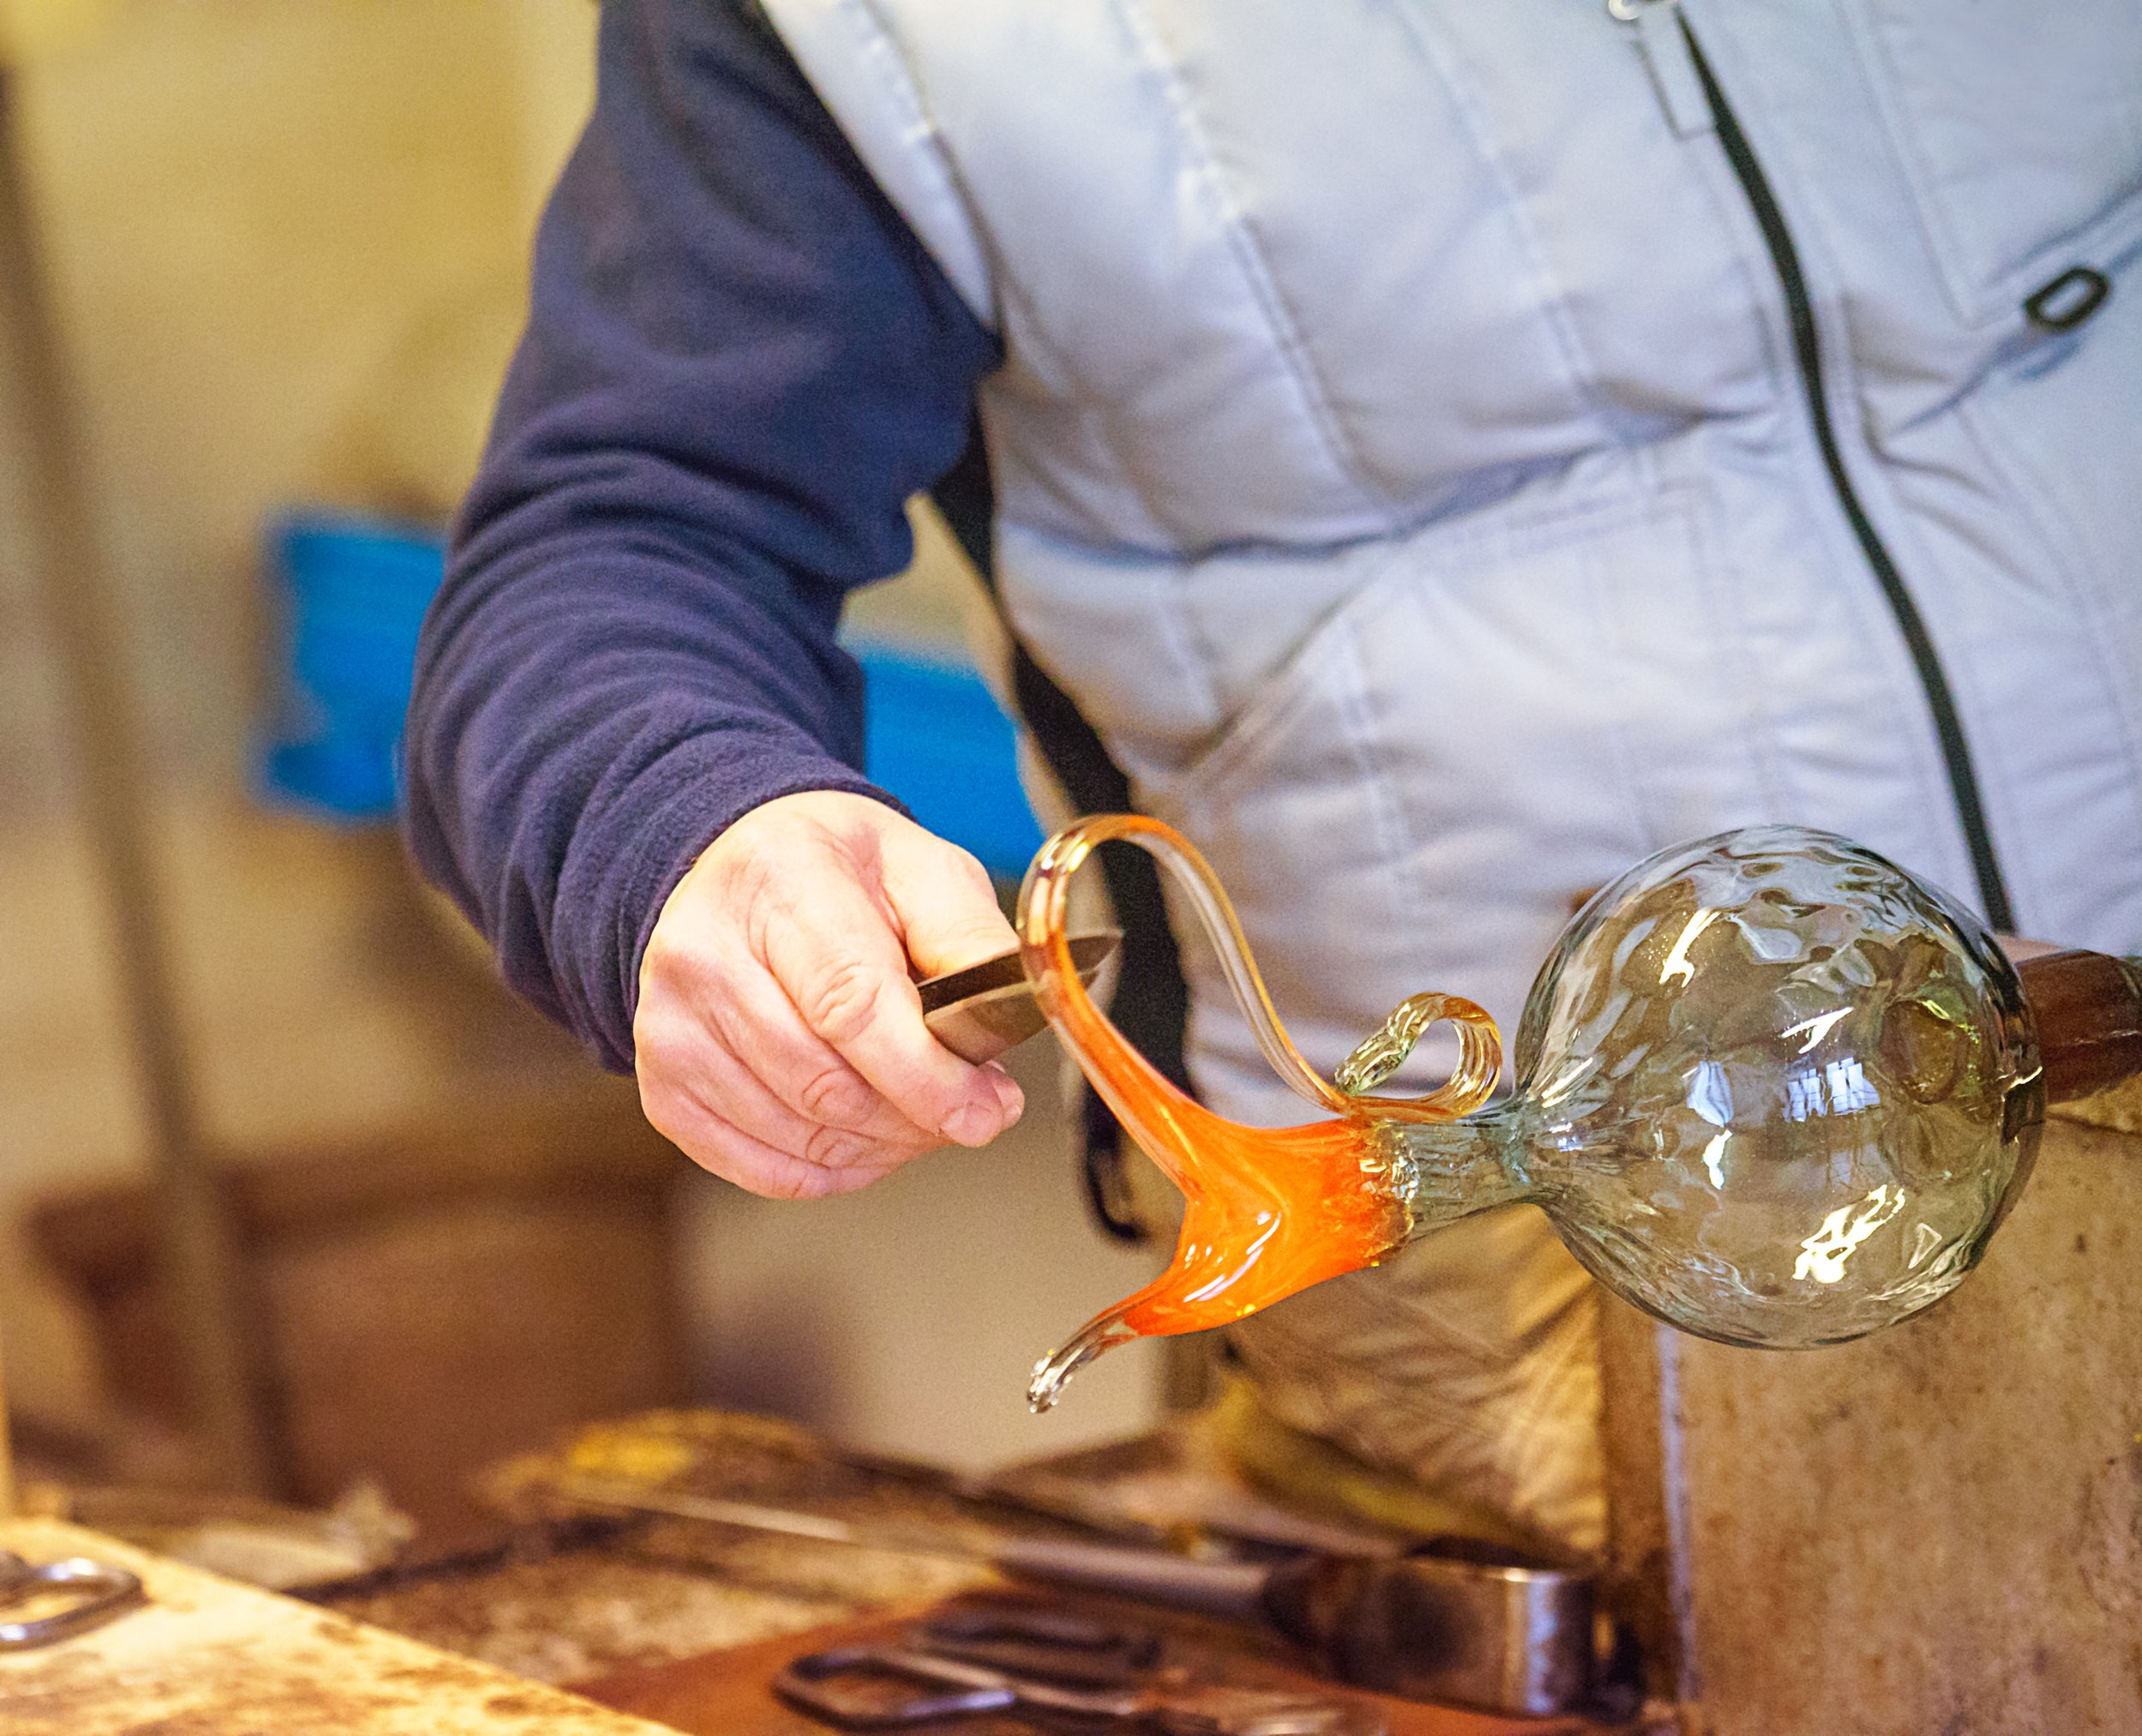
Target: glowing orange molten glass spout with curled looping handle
1267 1212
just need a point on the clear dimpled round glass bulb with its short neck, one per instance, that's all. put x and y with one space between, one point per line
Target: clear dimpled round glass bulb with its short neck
1770 1090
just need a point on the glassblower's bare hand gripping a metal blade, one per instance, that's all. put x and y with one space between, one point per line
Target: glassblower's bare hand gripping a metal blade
779 1034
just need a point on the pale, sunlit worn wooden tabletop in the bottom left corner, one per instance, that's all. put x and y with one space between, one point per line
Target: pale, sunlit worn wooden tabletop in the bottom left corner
209 1658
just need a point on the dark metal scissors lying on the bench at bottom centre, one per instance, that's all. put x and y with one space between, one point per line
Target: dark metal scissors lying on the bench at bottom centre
1044 1668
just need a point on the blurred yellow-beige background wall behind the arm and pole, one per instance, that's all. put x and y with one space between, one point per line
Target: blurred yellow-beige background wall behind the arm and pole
288 250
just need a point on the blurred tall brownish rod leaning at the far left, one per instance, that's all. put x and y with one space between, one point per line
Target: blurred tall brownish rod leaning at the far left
217 1360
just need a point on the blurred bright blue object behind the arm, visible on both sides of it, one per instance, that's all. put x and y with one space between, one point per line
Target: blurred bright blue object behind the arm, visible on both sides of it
352 597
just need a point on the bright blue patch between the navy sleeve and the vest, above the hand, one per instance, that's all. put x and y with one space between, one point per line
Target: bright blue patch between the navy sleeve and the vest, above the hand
937 738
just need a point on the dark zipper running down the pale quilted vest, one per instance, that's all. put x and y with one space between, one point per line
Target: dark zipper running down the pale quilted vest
1807 348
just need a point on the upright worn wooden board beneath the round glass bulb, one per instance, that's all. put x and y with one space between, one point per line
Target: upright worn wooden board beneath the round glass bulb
1937 1529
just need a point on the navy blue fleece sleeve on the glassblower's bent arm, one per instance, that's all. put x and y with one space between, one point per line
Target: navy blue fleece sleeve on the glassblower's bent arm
738 368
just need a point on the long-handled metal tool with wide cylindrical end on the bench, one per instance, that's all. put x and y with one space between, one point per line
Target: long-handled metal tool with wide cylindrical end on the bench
1451 1623
